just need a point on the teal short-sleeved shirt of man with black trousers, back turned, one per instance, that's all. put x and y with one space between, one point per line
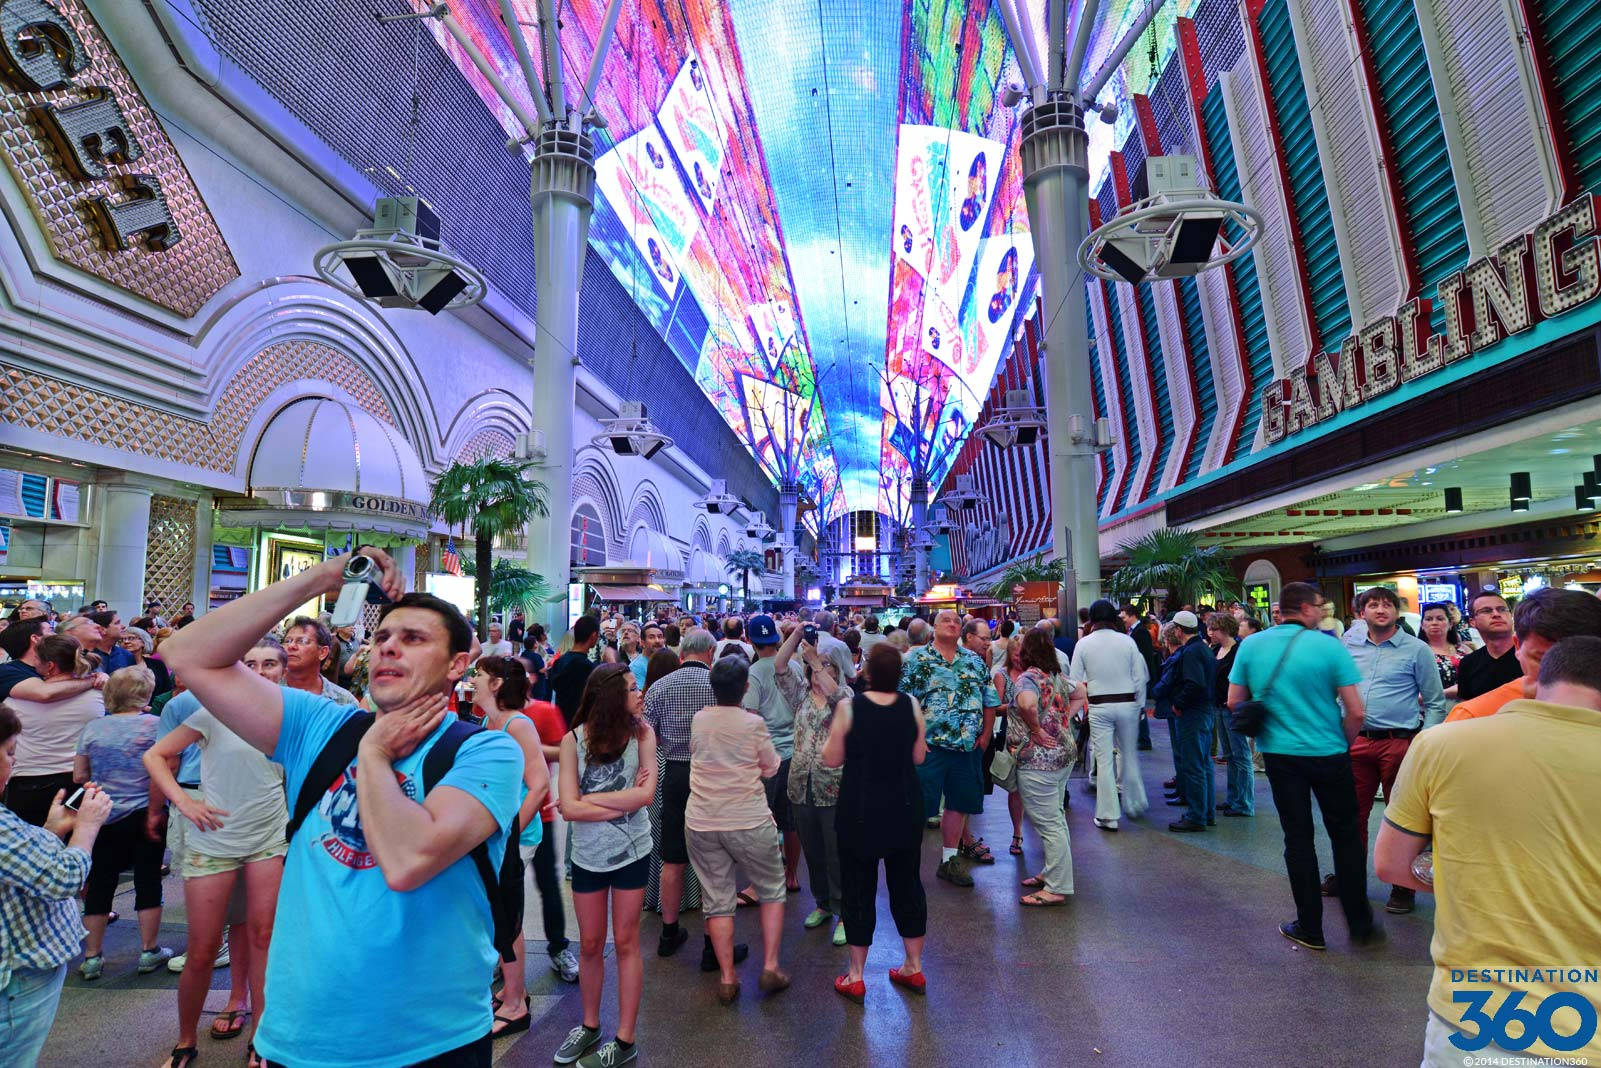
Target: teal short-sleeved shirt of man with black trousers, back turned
1304 707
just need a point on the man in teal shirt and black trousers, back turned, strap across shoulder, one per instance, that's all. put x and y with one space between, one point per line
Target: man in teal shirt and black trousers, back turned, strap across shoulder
1306 681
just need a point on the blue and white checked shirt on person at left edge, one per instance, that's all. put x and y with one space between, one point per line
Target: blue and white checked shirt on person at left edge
41 921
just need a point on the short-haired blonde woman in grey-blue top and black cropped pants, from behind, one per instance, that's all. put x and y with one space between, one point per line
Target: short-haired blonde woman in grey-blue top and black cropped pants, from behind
111 753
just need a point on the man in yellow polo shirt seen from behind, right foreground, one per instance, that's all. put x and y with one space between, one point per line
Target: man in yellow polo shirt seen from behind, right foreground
1511 803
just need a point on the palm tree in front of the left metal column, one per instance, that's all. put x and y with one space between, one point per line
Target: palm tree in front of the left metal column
492 497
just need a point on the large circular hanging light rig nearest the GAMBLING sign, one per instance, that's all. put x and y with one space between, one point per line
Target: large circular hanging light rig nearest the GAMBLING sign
1176 233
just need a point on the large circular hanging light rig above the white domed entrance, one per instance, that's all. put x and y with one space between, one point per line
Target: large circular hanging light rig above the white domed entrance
401 263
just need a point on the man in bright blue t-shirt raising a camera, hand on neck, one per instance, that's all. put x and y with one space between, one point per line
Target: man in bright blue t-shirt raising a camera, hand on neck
379 891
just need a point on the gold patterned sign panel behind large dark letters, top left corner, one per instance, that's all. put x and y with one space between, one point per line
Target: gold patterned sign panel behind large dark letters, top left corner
183 276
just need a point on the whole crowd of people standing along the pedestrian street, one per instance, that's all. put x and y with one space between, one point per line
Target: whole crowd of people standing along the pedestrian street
411 781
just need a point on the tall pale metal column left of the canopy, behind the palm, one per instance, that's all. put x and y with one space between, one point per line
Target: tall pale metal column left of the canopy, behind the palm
563 195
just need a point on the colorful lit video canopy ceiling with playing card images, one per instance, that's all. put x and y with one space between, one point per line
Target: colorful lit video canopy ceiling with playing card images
819 207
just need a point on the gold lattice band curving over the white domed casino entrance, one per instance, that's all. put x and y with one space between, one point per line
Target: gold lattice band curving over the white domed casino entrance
68 411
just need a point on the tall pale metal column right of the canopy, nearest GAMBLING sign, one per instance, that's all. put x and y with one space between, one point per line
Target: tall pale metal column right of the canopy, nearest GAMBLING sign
1056 180
